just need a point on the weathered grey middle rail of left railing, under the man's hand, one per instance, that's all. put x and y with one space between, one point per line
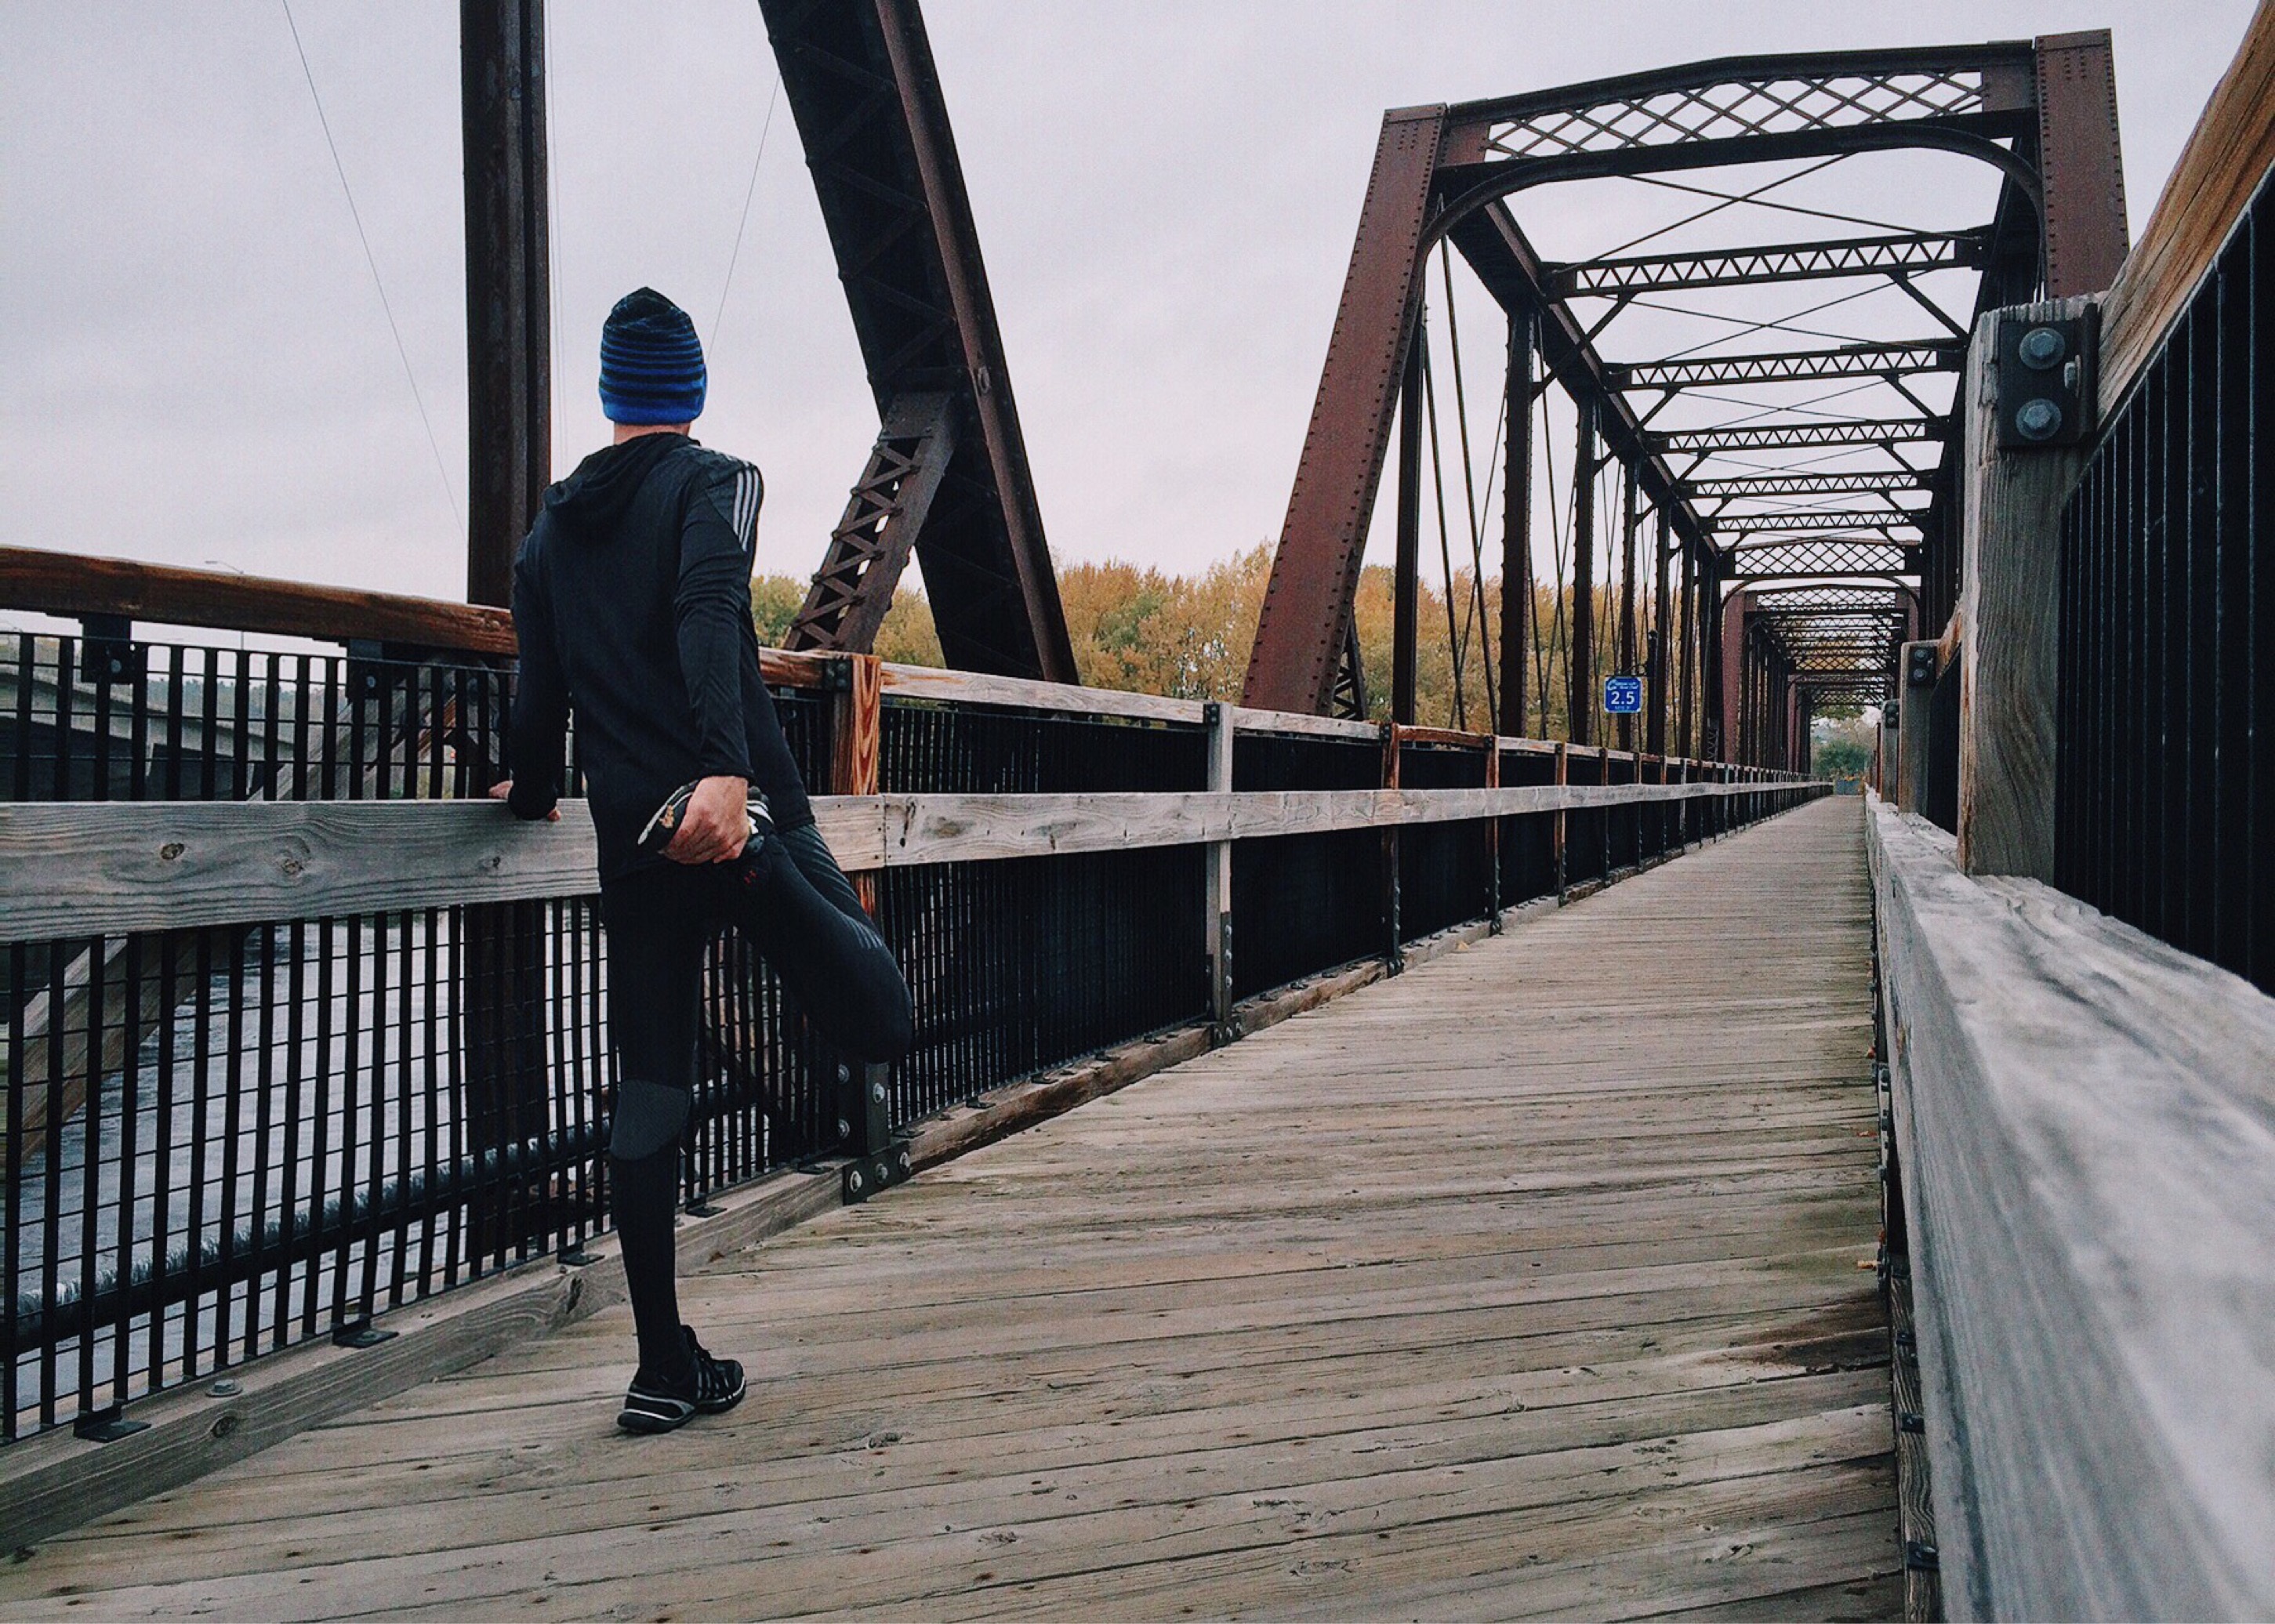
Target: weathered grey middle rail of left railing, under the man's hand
106 868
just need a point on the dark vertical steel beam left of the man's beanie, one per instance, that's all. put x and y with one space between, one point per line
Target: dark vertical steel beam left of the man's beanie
508 306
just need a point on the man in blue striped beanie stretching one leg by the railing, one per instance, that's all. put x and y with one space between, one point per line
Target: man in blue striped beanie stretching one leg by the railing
634 608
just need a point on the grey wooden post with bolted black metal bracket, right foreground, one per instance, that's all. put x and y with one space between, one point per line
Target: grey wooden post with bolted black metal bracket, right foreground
2010 597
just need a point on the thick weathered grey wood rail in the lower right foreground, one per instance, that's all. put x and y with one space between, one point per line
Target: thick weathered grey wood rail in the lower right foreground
2090 1184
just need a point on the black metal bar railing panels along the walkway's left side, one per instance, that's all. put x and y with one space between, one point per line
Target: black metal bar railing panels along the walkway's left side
226 1141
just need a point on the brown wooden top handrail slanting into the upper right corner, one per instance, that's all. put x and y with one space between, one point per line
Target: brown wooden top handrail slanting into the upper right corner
2228 156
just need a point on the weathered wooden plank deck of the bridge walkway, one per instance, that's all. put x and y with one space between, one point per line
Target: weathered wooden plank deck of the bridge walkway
1521 1284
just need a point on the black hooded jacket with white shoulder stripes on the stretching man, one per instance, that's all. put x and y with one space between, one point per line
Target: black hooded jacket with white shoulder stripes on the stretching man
634 606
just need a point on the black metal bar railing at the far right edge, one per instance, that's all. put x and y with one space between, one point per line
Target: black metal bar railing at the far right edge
2167 704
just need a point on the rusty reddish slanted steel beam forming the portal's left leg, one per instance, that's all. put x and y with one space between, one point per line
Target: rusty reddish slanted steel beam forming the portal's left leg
1323 540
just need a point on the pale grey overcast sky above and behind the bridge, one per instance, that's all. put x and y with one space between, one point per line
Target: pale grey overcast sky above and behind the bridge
199 367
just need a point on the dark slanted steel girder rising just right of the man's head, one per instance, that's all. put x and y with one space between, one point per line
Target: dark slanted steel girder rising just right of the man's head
861 83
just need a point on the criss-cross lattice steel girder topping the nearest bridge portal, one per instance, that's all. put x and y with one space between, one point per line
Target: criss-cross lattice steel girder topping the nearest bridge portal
1753 97
